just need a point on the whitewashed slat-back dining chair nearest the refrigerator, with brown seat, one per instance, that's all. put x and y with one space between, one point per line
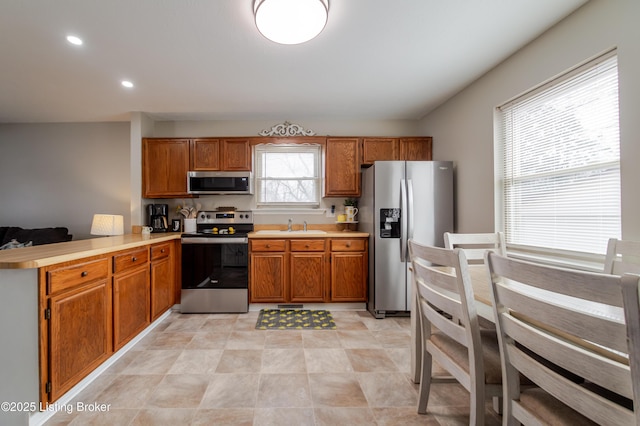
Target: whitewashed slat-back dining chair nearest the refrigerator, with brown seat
443 290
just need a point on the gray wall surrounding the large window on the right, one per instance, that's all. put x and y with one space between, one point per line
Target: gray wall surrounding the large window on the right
462 128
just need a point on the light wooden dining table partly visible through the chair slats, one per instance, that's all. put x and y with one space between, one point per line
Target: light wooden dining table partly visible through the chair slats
481 284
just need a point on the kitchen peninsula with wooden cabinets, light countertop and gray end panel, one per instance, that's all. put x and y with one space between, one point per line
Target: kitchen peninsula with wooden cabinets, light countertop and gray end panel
68 307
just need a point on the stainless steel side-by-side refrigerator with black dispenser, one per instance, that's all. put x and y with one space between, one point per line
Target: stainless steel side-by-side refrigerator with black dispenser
402 200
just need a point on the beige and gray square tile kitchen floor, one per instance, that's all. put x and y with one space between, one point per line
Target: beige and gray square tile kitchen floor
216 369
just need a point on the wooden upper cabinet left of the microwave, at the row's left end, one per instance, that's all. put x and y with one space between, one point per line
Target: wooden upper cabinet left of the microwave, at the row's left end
165 163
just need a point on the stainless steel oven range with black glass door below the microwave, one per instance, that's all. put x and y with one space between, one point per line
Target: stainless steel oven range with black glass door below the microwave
215 275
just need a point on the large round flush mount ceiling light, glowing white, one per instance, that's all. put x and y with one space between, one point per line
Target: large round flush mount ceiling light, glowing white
290 21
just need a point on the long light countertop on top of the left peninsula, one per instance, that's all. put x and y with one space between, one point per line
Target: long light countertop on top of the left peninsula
50 254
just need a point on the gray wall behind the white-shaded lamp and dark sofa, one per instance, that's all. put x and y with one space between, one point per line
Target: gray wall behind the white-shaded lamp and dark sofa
61 174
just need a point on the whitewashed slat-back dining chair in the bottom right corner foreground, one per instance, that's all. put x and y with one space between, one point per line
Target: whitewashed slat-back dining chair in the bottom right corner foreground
553 320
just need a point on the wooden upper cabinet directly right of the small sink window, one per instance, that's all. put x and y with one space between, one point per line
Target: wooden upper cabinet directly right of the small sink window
342 167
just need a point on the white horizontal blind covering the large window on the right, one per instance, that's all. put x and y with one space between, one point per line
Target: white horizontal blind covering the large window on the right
561 164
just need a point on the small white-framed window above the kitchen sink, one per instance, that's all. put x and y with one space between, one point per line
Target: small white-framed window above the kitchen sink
288 175
